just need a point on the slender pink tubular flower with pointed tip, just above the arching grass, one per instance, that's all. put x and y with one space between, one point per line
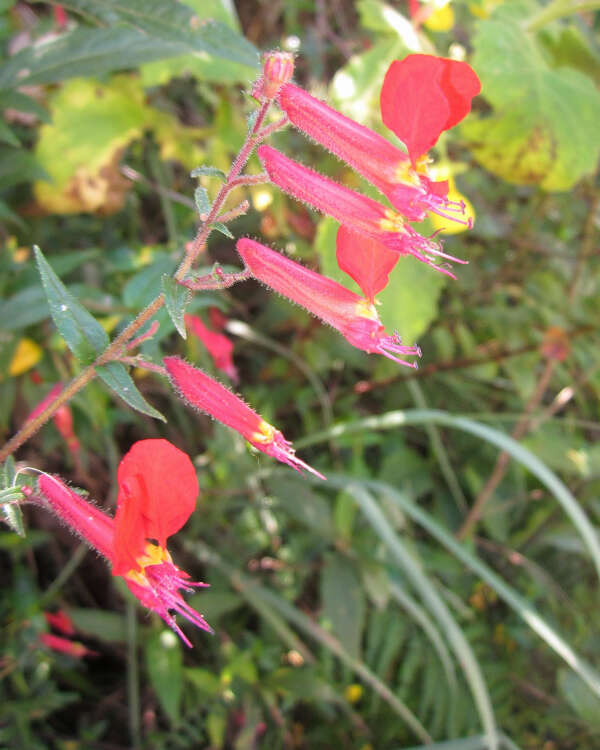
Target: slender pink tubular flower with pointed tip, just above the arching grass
211 397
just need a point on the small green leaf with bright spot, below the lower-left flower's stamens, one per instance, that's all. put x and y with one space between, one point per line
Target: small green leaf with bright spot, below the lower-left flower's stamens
164 662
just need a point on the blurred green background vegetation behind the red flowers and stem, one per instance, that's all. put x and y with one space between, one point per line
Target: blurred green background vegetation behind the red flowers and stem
374 610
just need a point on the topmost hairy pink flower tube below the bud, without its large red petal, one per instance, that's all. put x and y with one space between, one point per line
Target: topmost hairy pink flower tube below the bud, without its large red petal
407 187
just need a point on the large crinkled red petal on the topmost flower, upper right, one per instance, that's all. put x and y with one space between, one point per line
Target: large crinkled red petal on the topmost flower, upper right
424 95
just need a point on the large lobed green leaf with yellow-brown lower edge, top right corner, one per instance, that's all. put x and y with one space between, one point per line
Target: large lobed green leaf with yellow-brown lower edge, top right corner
544 128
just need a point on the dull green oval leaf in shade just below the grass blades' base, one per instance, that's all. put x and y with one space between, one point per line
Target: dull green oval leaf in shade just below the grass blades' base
343 603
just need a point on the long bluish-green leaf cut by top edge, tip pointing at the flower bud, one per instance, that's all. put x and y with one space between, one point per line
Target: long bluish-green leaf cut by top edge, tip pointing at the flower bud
171 21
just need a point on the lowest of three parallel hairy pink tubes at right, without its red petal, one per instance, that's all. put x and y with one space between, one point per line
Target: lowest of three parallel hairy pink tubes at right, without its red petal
353 316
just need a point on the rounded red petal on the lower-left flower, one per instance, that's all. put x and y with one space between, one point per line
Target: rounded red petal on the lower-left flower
157 494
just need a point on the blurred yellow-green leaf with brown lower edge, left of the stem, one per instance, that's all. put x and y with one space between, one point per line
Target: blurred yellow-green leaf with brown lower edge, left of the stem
92 123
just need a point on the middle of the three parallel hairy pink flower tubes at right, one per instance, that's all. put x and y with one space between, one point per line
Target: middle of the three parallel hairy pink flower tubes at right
358 212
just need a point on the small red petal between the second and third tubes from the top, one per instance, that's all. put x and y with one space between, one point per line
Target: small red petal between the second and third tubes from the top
366 260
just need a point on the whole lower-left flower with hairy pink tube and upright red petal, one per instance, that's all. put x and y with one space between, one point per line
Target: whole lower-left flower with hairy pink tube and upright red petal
157 493
